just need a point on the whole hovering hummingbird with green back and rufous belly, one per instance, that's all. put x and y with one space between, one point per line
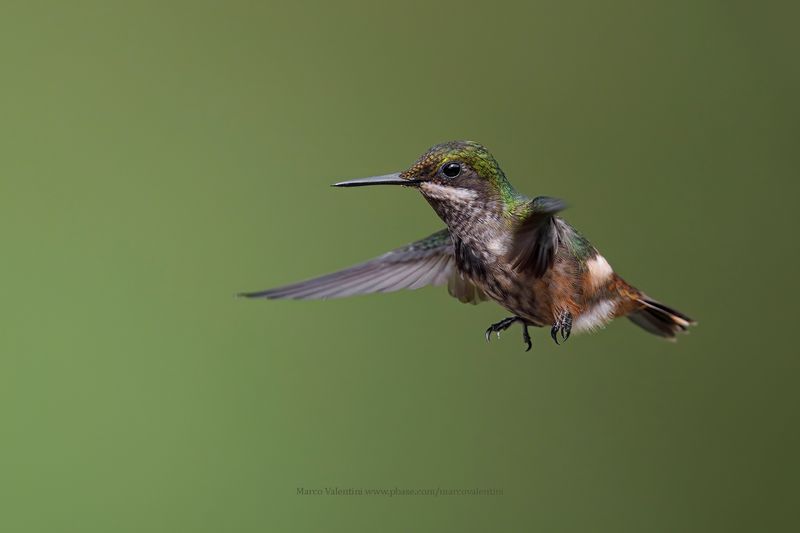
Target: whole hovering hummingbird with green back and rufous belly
498 245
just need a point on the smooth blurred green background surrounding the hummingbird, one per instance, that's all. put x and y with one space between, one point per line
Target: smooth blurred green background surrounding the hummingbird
158 157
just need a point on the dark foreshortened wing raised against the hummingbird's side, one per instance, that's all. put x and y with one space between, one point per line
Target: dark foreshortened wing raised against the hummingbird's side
536 238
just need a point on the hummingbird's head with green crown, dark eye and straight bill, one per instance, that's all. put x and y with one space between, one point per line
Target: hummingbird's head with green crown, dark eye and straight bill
450 172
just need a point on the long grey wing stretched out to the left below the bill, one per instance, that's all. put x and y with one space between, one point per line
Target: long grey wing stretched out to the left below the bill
429 261
